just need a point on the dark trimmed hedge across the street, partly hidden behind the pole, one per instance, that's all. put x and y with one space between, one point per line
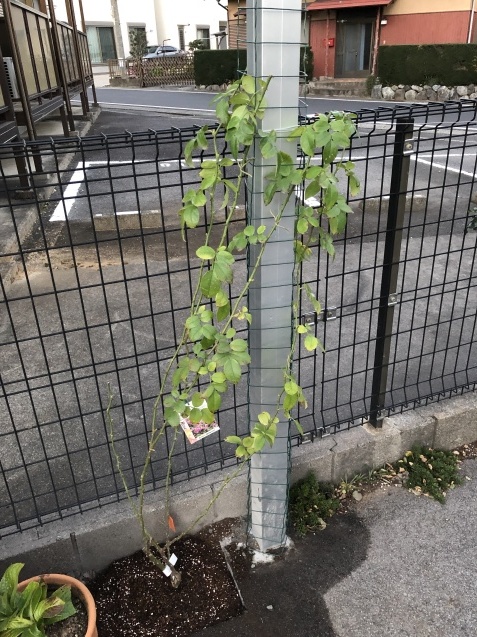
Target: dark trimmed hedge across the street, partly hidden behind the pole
221 66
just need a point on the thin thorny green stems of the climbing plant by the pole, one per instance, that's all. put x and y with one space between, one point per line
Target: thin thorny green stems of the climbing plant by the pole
158 555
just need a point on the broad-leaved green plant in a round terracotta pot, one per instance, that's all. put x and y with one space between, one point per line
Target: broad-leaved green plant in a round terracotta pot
29 607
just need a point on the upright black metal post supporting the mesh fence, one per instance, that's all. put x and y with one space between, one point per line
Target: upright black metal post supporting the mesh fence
403 149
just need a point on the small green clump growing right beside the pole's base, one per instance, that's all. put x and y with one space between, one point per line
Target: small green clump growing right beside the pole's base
310 502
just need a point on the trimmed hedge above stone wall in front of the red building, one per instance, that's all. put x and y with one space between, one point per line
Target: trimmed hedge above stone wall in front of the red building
445 64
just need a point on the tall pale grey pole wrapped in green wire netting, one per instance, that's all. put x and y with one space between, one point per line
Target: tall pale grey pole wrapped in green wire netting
273 49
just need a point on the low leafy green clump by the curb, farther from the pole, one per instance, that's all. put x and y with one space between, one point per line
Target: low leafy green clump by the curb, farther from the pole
430 471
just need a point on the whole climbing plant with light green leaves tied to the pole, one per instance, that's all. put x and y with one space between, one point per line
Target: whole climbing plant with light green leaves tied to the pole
211 356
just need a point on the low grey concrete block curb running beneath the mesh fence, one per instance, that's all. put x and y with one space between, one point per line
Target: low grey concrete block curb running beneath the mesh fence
90 541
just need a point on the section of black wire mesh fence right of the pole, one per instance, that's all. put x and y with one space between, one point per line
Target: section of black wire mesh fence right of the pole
399 298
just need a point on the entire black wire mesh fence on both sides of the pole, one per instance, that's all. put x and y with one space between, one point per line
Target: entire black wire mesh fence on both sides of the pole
96 282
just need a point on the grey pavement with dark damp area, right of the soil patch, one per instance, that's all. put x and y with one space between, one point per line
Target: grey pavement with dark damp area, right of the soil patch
396 565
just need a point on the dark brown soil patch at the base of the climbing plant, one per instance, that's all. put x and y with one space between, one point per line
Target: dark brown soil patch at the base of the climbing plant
134 599
